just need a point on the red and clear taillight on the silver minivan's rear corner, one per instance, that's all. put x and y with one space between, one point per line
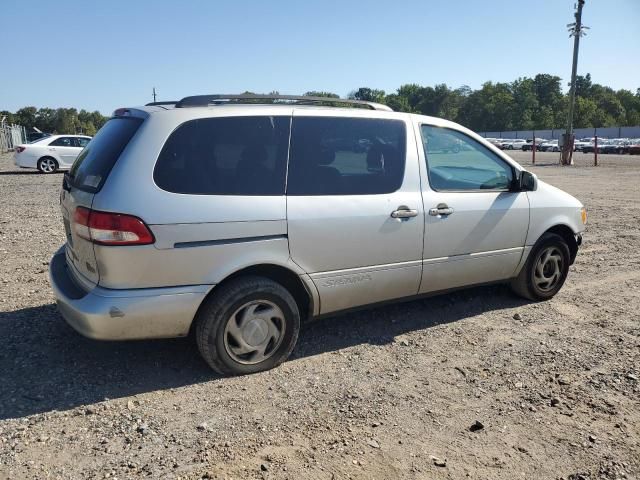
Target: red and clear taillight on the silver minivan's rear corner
106 228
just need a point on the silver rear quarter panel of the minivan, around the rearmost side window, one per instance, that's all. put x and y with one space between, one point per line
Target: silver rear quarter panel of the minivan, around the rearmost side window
200 239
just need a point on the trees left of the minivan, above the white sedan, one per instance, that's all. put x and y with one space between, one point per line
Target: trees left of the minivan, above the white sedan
57 120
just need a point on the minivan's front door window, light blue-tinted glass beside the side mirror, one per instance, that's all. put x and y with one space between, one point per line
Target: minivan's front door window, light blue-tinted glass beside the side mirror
458 162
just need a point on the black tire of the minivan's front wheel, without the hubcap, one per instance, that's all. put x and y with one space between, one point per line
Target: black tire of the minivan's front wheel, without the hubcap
525 283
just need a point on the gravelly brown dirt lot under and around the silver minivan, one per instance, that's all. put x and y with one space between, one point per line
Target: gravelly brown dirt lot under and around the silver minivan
385 393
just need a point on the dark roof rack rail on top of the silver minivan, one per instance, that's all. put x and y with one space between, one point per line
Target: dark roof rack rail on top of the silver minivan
219 99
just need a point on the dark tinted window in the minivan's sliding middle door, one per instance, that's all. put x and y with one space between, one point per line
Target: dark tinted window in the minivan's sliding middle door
346 156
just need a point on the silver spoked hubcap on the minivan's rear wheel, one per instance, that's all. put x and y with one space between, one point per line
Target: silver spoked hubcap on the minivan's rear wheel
254 332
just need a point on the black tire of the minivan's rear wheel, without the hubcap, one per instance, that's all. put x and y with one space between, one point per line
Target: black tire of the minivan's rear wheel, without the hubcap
215 314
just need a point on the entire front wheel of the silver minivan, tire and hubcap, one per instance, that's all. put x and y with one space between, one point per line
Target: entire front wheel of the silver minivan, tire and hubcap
546 269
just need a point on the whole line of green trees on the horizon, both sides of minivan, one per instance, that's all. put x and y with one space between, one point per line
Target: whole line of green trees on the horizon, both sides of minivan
536 103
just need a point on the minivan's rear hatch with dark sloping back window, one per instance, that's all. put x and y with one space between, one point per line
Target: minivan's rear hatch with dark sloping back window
84 180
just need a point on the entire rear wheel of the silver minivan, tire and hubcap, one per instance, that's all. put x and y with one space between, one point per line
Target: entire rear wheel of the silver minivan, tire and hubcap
248 325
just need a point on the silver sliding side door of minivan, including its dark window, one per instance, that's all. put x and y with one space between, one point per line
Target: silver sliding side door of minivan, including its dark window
354 210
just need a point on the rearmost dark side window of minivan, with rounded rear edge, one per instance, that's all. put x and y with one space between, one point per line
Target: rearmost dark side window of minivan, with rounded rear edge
226 156
